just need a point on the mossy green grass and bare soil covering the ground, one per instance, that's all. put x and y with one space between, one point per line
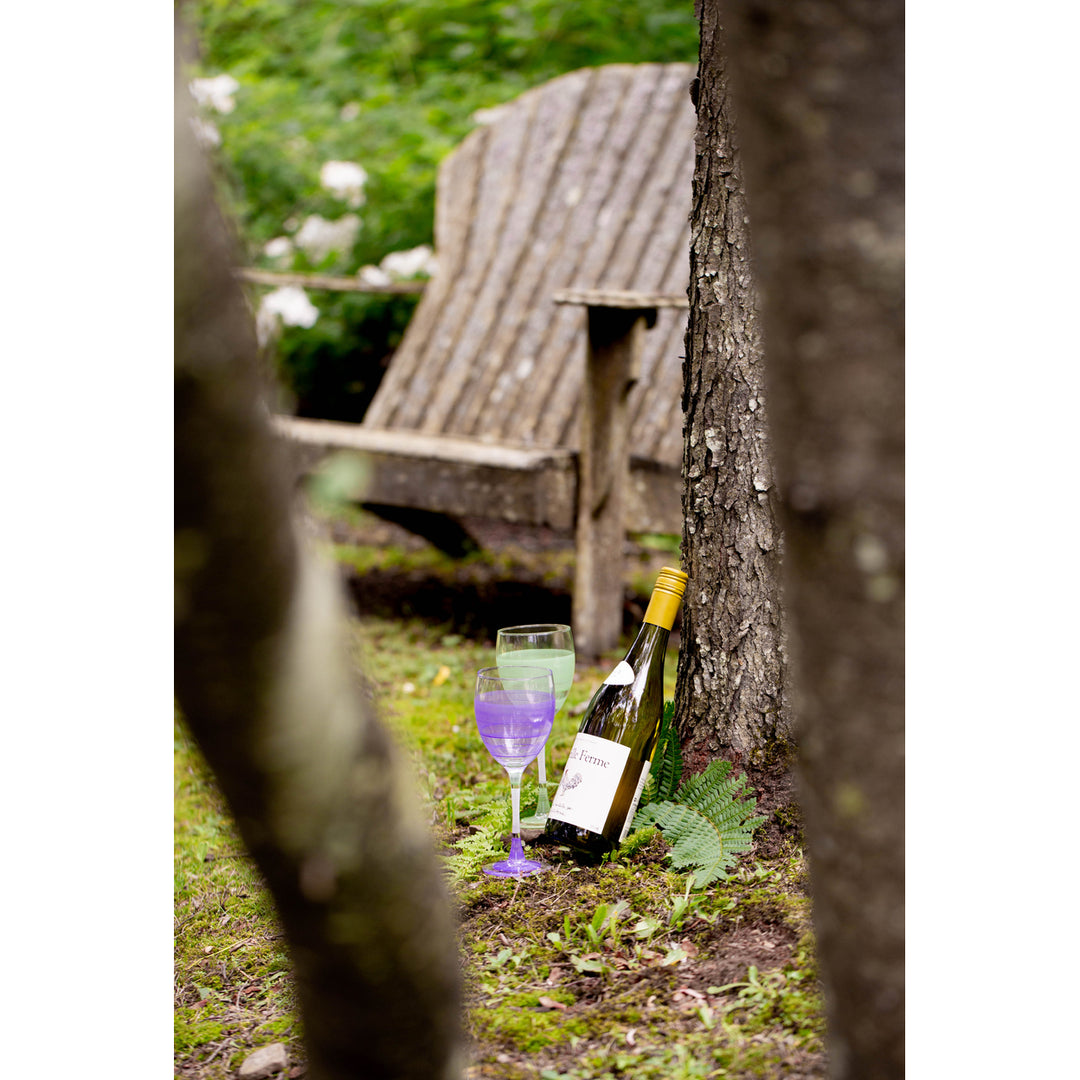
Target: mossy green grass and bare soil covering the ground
617 970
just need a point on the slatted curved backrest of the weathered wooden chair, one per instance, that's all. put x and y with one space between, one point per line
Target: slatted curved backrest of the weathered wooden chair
488 354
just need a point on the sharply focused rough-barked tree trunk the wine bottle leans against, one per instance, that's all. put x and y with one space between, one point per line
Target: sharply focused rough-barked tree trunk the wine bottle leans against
731 697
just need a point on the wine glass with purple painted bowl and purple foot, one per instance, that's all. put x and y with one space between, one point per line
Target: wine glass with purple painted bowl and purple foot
516 707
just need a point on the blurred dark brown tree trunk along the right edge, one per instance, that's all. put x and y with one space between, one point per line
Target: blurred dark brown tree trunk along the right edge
819 87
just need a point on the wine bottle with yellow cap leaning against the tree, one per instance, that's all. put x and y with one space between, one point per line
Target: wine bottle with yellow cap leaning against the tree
610 762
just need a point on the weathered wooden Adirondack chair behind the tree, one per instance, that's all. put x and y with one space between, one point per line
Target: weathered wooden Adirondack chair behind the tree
526 387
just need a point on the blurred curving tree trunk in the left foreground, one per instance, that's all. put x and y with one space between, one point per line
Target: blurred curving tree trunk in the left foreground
323 802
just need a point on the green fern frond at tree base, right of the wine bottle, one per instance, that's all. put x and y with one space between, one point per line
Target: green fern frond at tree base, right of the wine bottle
708 826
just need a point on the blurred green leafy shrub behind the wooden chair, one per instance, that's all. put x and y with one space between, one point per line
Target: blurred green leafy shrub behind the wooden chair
394 88
